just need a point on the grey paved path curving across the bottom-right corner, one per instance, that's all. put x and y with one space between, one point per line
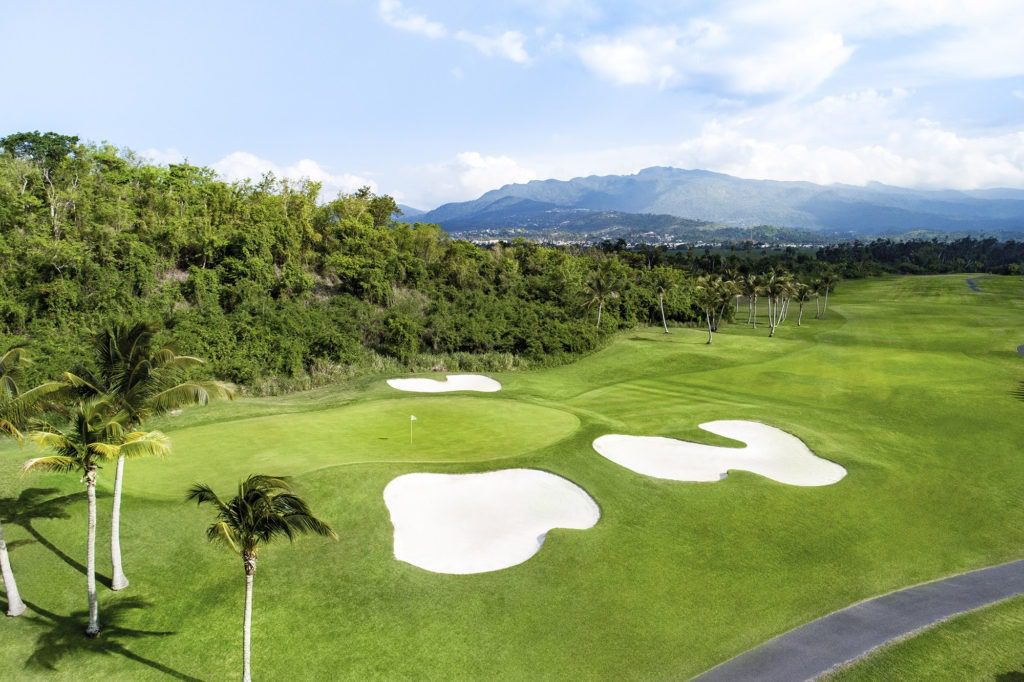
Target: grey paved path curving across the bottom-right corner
816 649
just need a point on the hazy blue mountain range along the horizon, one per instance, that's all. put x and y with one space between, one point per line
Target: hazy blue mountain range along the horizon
665 200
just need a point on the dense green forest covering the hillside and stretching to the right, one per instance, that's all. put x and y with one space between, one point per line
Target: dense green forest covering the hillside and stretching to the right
280 287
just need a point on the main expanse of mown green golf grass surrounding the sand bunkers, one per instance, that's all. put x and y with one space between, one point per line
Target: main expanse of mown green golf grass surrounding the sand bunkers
909 383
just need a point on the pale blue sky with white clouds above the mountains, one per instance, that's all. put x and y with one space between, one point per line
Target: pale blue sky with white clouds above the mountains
437 102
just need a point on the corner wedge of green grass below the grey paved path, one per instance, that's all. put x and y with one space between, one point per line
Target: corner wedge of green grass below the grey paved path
982 646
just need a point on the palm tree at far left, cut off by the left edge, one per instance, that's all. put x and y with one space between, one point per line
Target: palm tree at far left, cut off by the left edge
15 410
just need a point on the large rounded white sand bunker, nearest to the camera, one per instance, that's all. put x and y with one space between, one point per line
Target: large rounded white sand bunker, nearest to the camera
473 524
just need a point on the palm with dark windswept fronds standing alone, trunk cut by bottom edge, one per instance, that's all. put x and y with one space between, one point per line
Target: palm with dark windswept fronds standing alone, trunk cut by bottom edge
265 509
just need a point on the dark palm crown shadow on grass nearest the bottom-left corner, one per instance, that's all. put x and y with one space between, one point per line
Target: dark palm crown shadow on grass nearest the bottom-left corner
64 636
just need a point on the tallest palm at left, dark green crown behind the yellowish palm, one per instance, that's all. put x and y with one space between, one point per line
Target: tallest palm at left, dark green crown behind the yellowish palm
140 380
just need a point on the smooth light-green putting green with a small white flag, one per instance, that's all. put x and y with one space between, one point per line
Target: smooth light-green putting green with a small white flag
447 430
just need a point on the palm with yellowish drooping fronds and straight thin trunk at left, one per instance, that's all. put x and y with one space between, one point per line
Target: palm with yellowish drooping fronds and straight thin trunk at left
93 438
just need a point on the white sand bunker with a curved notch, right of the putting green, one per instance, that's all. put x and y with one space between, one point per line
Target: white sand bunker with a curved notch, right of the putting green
770 452
